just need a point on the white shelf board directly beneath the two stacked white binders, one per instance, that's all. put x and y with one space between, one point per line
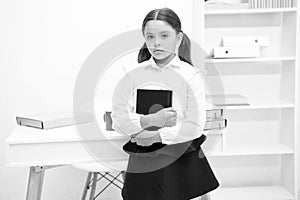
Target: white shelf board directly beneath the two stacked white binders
239 60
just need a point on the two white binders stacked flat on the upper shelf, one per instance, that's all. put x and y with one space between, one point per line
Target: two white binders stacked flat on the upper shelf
240 47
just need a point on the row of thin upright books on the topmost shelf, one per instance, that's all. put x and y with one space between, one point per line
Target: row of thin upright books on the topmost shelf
259 4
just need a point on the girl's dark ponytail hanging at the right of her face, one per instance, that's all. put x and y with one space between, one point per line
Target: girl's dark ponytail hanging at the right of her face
184 50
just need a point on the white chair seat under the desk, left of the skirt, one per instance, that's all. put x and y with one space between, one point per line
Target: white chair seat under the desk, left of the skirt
108 166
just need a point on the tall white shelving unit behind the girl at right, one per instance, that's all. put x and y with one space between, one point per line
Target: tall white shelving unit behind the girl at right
258 159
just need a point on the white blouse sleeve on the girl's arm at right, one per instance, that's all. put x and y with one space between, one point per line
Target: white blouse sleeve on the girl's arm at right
192 125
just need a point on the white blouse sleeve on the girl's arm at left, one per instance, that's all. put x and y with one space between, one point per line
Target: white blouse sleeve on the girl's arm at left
125 120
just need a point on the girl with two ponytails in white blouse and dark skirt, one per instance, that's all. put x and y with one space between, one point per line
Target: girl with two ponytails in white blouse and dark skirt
175 171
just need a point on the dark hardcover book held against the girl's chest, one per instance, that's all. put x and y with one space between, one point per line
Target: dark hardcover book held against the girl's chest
152 101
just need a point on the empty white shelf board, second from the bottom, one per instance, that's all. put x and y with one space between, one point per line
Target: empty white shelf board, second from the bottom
278 149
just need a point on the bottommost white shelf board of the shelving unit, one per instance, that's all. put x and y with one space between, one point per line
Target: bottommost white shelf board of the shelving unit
251 193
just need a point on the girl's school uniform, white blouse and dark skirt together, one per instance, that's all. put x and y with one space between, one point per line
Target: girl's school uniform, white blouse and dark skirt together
176 168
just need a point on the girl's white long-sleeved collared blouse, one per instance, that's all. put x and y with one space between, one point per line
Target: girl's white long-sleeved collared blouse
188 88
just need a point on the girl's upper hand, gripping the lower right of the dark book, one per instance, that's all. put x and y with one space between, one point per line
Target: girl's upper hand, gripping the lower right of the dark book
164 117
